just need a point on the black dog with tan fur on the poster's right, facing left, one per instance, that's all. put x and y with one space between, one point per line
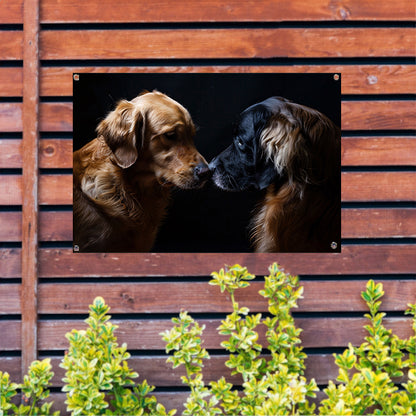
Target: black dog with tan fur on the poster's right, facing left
294 152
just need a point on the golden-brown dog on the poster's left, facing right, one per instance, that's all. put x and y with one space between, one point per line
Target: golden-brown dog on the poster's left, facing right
122 178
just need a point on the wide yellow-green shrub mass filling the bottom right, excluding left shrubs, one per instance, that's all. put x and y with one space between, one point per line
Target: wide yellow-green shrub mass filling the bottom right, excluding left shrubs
276 386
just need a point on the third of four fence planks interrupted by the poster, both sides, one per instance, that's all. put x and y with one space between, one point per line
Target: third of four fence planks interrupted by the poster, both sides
355 186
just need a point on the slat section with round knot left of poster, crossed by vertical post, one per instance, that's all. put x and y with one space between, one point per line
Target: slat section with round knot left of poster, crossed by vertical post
53 153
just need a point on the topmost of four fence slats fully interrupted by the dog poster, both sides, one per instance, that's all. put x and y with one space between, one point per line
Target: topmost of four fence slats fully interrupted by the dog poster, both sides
384 115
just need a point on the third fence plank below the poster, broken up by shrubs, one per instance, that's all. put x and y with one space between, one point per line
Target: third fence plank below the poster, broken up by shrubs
144 334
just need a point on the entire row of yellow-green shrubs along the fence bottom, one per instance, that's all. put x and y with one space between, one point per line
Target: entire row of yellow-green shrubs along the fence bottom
98 380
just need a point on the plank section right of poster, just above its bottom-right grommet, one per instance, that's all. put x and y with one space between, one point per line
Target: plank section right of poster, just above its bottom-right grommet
378 223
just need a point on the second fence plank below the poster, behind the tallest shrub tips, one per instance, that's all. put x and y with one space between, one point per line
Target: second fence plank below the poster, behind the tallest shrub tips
200 297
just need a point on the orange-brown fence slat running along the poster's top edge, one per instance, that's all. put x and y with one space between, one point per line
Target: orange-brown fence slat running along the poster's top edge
356 79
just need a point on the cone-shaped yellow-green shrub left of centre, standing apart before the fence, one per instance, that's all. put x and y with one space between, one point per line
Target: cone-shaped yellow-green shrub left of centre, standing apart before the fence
98 380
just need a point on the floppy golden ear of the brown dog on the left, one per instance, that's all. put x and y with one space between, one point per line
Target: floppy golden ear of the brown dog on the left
119 130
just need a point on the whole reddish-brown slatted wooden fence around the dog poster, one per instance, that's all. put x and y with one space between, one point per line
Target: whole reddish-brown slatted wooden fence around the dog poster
45 288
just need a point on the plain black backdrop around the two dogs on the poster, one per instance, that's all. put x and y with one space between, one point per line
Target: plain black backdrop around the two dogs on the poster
206 220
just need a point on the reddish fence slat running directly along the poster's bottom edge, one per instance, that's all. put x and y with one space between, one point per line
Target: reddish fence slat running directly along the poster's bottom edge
354 259
